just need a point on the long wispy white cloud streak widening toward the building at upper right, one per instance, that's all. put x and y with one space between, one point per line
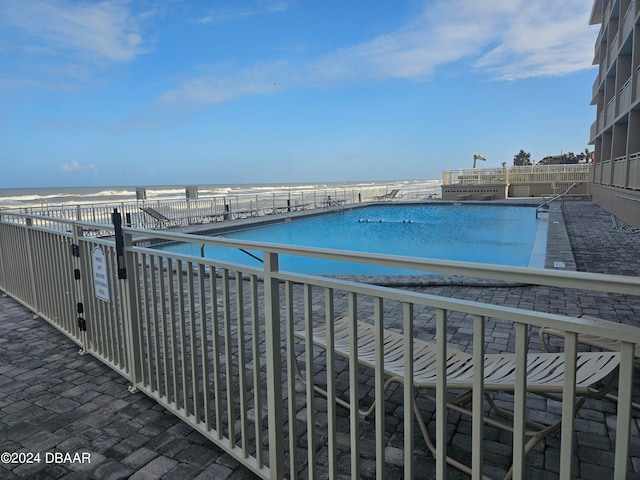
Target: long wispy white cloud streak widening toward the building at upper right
504 39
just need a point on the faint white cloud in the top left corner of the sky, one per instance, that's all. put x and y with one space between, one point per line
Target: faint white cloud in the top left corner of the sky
96 31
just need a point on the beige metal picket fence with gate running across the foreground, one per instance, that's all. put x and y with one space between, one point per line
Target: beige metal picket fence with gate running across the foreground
213 342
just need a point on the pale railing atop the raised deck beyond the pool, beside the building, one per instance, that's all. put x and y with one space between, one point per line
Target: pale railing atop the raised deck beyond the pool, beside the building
568 173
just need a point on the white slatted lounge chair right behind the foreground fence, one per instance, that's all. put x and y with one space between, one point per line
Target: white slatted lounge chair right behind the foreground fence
545 375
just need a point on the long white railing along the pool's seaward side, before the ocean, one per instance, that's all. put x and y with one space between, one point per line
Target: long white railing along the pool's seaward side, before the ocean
219 208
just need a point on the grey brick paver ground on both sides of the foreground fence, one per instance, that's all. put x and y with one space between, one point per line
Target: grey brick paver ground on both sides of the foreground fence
54 400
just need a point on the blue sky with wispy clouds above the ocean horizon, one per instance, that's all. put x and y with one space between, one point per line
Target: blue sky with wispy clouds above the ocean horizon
156 92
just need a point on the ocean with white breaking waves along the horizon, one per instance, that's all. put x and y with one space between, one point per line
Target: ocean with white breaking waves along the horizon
16 198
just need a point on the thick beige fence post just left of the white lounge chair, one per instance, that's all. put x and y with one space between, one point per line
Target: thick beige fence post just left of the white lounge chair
274 366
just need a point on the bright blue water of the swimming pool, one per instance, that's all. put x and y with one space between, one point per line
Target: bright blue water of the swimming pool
504 235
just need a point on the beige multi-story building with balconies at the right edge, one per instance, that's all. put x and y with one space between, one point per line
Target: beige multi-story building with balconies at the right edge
615 182
